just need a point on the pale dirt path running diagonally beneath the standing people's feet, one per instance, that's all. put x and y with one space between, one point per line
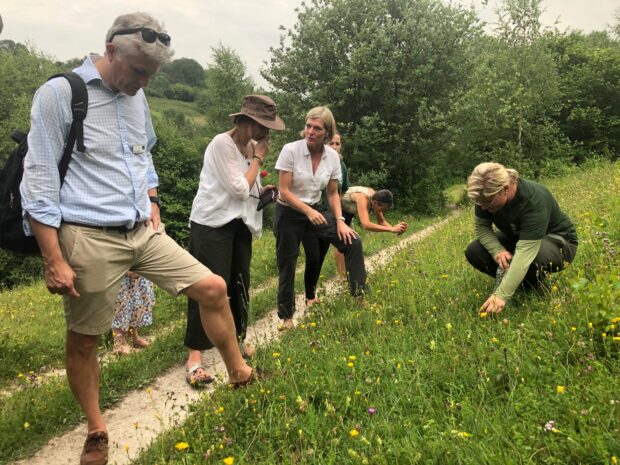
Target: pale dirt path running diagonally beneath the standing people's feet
142 415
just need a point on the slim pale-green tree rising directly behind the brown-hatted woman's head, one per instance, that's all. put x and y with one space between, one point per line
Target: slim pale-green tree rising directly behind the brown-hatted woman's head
226 85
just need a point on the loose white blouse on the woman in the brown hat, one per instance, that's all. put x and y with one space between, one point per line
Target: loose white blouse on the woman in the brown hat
223 192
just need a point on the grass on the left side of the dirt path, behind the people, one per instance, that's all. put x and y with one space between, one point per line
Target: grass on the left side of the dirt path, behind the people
36 406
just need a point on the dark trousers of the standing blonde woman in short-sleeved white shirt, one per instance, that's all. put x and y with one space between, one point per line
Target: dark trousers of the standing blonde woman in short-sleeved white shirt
290 226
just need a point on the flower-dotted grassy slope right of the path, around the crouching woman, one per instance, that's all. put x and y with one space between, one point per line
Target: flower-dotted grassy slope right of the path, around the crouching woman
418 376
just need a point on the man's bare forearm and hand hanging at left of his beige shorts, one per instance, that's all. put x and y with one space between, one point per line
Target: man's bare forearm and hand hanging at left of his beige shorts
59 276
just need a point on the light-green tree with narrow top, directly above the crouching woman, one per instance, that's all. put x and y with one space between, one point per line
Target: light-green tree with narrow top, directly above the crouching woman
510 110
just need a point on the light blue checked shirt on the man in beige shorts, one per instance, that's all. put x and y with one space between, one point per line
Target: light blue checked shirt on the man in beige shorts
108 184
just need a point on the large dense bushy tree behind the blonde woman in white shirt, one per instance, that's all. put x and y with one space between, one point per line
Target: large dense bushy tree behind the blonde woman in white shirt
390 71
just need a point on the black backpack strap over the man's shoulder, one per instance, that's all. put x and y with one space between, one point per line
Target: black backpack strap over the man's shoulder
79 107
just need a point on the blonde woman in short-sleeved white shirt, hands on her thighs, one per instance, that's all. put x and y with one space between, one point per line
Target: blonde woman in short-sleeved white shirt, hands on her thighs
306 167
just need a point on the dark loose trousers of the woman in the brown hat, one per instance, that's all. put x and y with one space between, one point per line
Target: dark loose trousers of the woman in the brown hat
227 252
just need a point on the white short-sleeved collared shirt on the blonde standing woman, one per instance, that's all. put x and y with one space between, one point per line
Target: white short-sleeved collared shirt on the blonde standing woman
295 158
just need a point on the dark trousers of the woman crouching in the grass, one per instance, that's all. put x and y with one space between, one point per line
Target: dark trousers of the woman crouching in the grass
555 252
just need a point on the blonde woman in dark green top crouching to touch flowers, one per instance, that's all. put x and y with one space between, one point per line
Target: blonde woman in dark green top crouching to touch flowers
533 236
